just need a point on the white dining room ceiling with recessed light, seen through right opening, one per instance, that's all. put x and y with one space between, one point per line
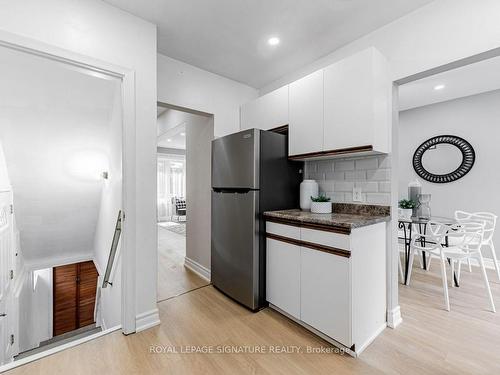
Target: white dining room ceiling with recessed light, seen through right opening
468 80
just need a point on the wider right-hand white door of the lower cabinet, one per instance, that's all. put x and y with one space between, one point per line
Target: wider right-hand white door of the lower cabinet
325 294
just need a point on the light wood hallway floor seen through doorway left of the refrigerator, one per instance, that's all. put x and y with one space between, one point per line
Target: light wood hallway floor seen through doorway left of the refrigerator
173 278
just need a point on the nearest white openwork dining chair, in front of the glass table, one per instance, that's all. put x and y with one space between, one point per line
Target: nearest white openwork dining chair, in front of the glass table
468 238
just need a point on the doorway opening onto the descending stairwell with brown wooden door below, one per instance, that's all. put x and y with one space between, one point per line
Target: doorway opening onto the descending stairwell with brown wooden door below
60 193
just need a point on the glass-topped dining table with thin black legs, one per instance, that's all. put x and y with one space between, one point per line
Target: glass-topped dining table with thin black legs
407 225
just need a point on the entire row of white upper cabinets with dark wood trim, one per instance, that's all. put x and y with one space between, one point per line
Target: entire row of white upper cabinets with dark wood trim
344 108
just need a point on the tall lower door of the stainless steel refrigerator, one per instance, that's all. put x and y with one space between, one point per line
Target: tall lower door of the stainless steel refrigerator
235 246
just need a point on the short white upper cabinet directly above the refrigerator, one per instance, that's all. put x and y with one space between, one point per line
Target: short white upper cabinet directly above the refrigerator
266 112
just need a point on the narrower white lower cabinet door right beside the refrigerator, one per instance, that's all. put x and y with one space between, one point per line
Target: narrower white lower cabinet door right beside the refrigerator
283 276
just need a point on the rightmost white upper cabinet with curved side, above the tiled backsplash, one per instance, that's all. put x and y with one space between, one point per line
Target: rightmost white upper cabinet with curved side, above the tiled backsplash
357 103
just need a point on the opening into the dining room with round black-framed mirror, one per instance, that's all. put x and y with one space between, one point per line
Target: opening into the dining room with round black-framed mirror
444 157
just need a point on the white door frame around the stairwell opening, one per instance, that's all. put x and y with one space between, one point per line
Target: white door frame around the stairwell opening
127 77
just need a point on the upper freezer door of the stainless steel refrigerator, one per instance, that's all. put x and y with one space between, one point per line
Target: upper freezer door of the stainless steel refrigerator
235 160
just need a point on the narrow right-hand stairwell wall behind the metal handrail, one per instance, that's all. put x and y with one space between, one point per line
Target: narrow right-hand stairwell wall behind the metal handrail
110 205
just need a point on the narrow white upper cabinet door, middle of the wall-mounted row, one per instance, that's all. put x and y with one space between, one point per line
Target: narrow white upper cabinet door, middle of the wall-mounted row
306 115
